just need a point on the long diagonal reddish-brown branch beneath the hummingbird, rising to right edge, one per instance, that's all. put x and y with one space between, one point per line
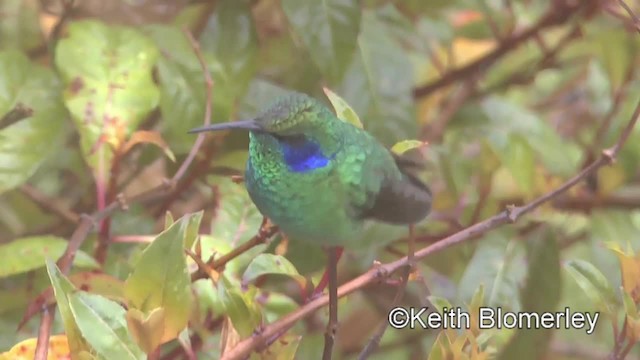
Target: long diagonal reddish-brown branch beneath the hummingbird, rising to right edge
244 348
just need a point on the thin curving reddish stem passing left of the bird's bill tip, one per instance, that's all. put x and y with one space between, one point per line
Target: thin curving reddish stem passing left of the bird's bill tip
87 222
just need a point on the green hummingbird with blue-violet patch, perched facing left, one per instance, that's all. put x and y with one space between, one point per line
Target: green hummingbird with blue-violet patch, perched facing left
320 178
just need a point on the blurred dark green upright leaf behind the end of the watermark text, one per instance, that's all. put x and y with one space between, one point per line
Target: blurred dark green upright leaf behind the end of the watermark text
541 294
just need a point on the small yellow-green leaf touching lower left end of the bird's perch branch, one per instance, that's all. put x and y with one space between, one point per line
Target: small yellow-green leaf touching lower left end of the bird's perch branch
240 306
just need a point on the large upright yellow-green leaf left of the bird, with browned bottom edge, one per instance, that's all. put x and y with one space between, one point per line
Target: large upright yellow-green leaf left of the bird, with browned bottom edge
160 278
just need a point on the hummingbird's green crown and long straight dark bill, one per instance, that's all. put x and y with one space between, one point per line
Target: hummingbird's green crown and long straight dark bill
294 114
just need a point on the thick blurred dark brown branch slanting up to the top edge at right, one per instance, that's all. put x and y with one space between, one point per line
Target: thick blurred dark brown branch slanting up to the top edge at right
558 14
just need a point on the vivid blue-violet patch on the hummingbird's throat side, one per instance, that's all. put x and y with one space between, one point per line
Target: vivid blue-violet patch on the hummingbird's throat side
303 156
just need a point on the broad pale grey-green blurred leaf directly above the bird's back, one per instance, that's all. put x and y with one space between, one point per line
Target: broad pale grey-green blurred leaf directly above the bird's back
379 81
